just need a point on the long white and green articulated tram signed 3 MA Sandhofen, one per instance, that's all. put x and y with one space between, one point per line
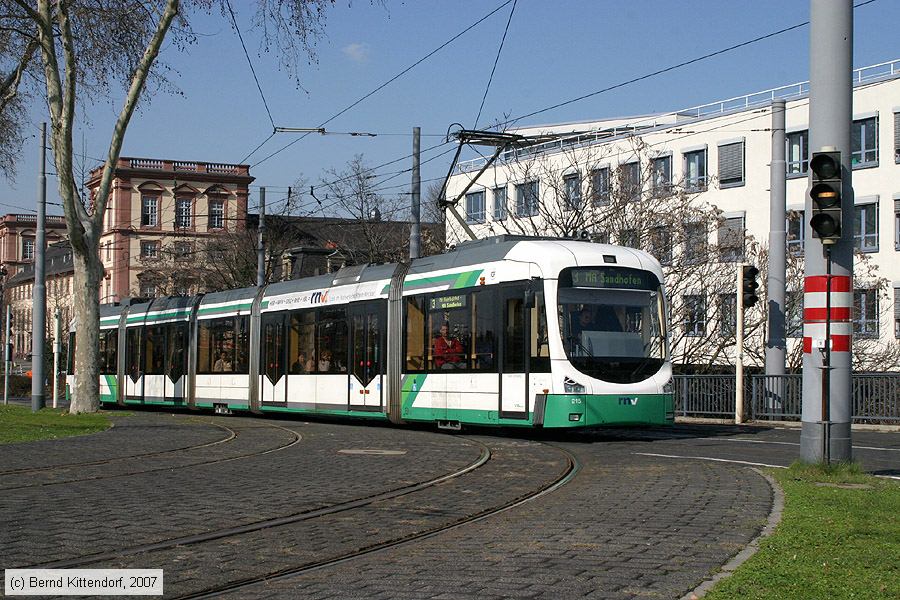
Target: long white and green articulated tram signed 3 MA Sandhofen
504 331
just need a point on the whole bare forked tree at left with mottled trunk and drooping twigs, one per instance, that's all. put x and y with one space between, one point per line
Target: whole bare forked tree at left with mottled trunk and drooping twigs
85 49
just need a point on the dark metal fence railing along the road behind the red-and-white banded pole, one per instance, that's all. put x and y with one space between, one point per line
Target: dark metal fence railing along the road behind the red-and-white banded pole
875 397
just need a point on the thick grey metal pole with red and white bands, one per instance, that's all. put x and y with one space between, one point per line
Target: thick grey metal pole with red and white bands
830 118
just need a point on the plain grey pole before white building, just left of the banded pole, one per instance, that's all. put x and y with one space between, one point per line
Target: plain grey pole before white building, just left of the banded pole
777 271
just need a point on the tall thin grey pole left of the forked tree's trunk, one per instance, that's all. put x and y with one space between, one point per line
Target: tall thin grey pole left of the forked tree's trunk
39 314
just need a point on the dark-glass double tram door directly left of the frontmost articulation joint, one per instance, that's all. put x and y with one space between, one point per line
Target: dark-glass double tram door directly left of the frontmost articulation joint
367 323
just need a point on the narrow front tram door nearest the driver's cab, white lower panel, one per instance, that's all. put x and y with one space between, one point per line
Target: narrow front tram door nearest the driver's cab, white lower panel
514 367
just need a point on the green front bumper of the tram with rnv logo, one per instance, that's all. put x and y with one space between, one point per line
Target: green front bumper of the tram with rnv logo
590 410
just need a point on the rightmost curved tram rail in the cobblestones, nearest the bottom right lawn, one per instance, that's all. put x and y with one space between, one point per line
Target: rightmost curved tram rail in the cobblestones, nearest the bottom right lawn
569 473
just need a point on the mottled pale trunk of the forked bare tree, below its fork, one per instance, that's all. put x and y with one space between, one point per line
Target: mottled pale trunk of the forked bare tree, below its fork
88 273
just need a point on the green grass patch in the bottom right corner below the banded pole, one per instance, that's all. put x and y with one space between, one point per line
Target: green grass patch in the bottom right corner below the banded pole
839 537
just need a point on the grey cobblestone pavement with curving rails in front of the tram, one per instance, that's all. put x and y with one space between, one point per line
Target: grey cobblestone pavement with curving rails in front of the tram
649 515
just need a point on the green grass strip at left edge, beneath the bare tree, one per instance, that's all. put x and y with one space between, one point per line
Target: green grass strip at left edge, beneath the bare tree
19 424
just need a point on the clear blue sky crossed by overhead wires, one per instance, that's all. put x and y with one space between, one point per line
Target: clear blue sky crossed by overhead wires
554 51
